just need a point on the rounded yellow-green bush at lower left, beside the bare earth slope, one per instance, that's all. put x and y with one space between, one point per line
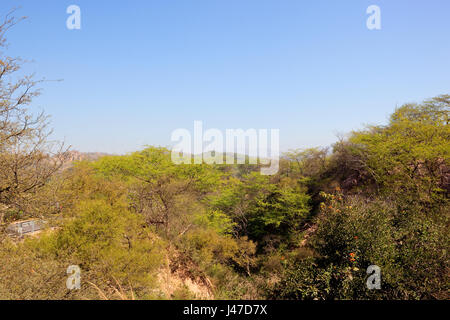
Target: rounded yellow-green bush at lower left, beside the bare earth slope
109 244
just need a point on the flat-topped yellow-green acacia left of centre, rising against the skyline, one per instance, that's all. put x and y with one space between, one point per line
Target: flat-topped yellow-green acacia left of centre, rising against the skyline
166 194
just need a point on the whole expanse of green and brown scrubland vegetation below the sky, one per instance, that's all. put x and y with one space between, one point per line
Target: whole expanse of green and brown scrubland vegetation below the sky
141 227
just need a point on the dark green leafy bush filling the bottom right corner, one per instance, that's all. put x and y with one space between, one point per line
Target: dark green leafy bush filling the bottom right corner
353 234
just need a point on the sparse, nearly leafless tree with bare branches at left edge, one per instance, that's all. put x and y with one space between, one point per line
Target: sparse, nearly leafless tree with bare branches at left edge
27 157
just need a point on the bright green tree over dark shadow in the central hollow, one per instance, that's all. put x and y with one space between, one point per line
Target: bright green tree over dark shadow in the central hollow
260 207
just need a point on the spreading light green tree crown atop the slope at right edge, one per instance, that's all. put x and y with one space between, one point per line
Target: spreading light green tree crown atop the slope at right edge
410 153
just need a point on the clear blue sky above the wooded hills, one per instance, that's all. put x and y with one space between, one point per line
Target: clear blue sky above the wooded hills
137 70
